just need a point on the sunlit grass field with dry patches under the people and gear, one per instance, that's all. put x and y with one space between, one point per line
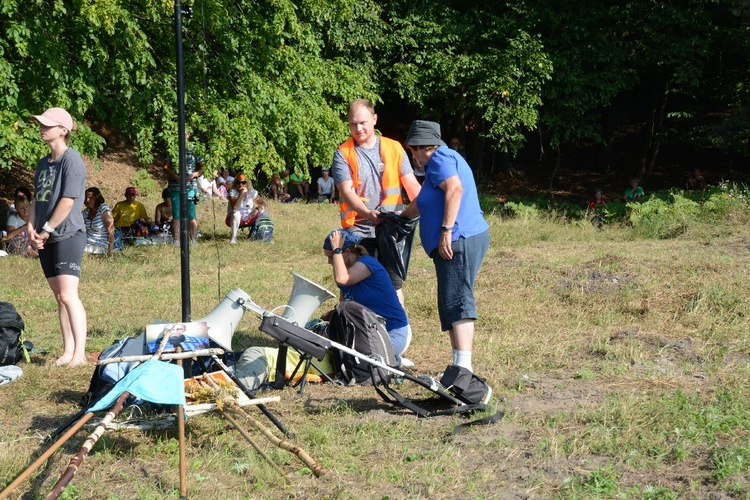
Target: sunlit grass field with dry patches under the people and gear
620 360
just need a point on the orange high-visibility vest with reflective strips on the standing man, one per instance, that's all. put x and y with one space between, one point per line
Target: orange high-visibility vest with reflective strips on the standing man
392 155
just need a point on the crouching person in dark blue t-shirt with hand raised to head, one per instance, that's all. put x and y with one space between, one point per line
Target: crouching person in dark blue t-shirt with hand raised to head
363 279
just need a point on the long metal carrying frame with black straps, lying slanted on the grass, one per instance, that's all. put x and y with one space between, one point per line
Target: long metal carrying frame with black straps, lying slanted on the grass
314 345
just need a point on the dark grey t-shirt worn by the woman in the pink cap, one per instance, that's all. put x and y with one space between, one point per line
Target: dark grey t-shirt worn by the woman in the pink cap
64 178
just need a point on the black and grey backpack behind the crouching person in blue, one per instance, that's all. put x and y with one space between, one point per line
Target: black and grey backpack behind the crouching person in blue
359 328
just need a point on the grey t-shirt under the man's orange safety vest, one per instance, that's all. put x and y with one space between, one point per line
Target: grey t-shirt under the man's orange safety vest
370 174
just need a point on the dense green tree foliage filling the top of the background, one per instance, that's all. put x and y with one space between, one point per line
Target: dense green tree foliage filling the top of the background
267 83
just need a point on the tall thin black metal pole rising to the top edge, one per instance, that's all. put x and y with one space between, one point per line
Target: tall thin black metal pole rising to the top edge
184 229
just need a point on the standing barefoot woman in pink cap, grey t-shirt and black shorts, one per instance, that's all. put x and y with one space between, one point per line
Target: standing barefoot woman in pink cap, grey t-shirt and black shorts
56 228
